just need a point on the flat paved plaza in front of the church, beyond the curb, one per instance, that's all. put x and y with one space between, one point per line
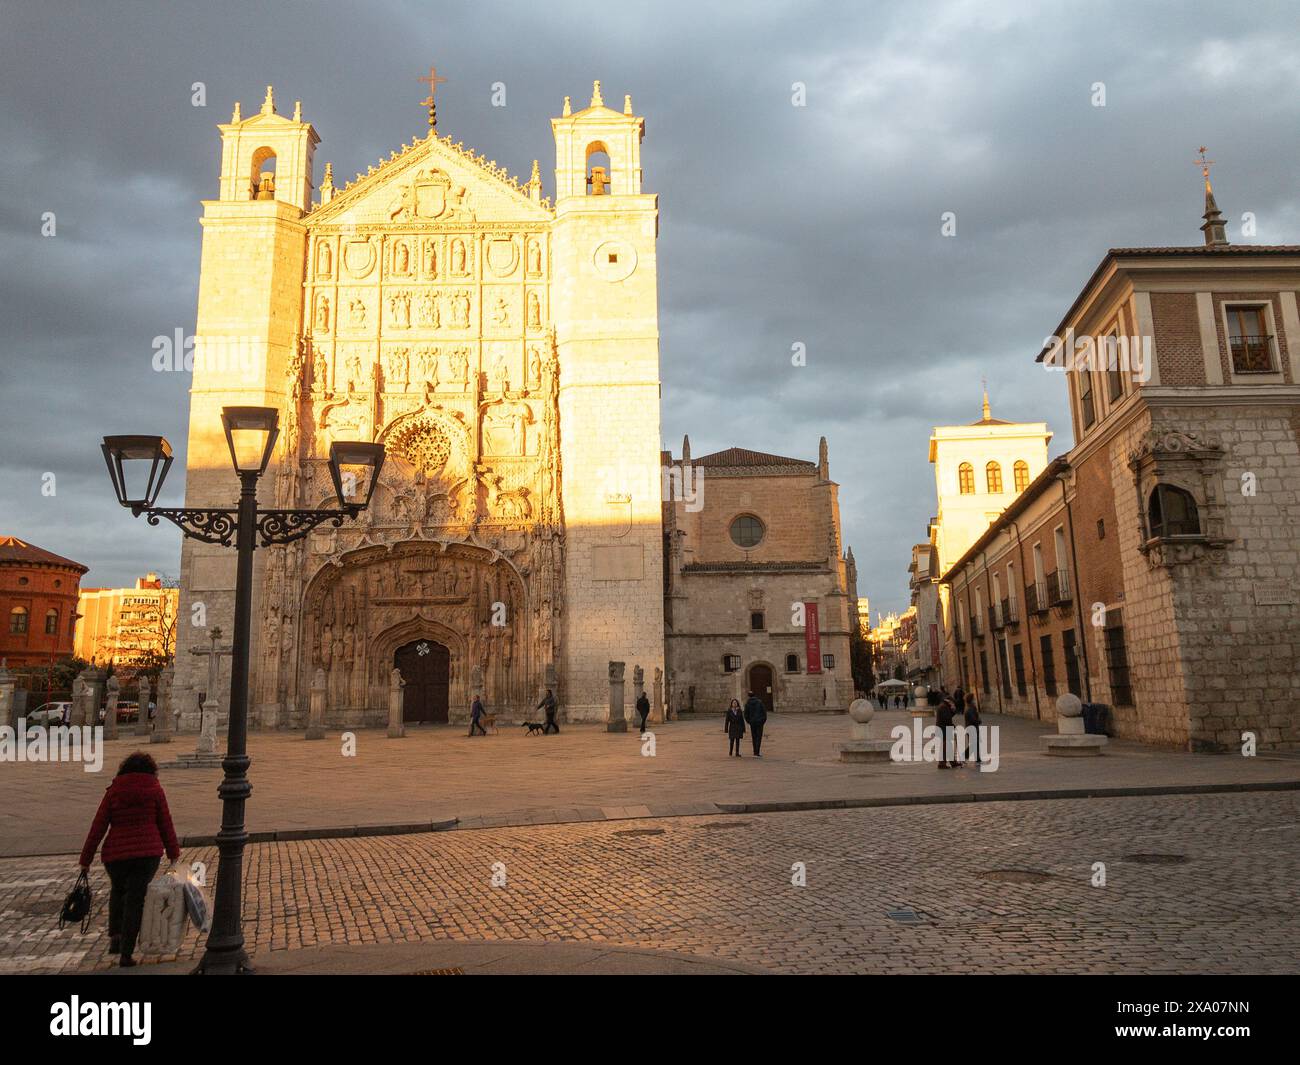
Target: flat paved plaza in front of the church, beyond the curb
440 774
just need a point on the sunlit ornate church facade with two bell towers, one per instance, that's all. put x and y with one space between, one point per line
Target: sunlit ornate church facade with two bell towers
505 350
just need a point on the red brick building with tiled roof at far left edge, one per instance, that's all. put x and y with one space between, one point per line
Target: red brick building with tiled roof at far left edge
38 603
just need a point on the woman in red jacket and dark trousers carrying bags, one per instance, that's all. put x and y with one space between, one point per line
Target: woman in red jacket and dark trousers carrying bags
140 830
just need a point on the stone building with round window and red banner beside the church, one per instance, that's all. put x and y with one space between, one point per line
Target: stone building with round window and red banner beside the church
759 591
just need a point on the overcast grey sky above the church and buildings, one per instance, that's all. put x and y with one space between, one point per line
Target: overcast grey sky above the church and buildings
779 224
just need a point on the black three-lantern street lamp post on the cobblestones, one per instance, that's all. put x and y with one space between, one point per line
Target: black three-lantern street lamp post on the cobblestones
138 466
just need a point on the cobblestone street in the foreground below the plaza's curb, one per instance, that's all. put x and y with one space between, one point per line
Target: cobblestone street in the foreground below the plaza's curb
1194 885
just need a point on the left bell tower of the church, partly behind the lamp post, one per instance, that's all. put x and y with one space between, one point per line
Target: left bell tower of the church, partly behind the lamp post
246 334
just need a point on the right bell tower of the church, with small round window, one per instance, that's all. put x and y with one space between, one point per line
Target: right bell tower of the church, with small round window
606 315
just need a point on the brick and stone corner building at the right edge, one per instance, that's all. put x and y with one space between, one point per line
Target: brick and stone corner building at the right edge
1156 568
